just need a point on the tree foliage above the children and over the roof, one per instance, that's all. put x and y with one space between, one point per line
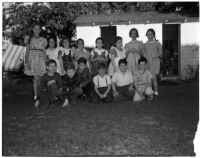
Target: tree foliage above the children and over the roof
58 17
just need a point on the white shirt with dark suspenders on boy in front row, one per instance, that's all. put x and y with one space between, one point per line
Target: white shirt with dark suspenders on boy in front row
102 81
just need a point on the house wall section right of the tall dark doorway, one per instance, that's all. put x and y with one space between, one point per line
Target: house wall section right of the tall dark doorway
189 49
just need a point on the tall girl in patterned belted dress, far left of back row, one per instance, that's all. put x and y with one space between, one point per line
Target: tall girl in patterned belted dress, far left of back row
36 57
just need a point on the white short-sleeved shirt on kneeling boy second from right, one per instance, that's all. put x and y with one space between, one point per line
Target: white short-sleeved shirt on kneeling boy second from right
122 79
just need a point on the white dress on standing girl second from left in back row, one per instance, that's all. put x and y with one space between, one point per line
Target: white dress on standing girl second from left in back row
53 54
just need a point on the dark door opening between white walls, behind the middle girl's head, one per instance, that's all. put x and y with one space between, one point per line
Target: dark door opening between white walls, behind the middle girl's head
108 34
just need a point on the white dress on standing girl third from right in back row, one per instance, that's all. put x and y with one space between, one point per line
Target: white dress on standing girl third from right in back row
120 54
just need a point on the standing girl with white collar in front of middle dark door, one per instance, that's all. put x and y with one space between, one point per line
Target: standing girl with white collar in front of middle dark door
98 54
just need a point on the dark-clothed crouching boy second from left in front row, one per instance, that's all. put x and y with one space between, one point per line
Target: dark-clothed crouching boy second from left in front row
71 84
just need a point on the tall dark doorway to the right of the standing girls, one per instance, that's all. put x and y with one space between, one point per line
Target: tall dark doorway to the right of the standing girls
171 50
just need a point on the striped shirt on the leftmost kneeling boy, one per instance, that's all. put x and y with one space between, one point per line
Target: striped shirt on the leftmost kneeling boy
46 78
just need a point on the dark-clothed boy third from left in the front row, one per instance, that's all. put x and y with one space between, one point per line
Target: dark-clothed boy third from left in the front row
85 77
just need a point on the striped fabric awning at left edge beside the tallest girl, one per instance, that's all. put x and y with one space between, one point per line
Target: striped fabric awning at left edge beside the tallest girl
13 57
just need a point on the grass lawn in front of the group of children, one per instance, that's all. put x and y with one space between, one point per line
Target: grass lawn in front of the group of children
165 126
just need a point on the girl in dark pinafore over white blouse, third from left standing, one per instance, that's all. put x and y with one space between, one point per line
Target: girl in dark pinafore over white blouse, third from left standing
65 55
